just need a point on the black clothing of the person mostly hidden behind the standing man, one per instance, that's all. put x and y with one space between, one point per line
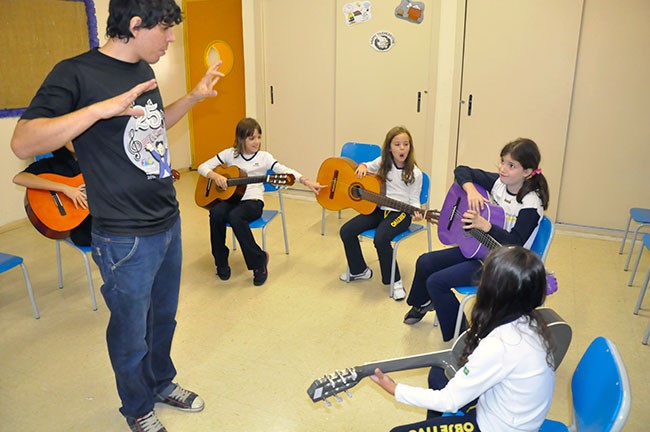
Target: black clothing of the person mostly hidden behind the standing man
63 163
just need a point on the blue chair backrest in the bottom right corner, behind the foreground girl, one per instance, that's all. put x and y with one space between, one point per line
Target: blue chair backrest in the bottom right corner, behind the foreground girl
600 389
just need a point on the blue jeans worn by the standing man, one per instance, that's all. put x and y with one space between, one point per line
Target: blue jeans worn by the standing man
141 285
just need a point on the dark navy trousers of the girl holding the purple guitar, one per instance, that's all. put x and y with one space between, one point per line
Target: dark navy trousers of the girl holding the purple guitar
436 273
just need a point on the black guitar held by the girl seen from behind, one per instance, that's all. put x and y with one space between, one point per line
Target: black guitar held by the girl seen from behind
330 385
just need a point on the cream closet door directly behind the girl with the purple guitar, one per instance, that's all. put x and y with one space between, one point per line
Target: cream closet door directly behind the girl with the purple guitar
518 71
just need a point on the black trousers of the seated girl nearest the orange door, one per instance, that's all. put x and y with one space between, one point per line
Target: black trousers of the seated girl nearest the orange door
238 215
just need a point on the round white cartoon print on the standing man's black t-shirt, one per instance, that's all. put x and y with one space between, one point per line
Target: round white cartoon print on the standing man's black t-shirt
145 142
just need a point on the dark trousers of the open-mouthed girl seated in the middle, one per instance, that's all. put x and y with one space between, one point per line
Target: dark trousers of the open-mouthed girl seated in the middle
388 224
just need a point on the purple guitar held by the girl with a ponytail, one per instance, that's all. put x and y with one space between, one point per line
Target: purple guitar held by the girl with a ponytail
473 243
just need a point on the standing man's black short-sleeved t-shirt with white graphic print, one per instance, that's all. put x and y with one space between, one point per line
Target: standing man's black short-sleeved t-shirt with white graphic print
124 160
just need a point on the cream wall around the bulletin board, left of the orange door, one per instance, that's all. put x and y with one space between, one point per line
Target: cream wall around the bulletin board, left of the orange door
170 71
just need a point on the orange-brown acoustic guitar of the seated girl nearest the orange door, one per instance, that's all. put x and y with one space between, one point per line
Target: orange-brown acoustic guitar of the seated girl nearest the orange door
207 193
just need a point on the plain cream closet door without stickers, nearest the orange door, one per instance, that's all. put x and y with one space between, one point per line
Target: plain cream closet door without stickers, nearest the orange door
299 83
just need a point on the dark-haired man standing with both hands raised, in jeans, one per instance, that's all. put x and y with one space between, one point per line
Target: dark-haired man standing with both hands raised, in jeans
107 102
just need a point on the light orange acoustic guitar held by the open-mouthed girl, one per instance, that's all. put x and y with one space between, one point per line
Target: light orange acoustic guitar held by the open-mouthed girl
346 190
